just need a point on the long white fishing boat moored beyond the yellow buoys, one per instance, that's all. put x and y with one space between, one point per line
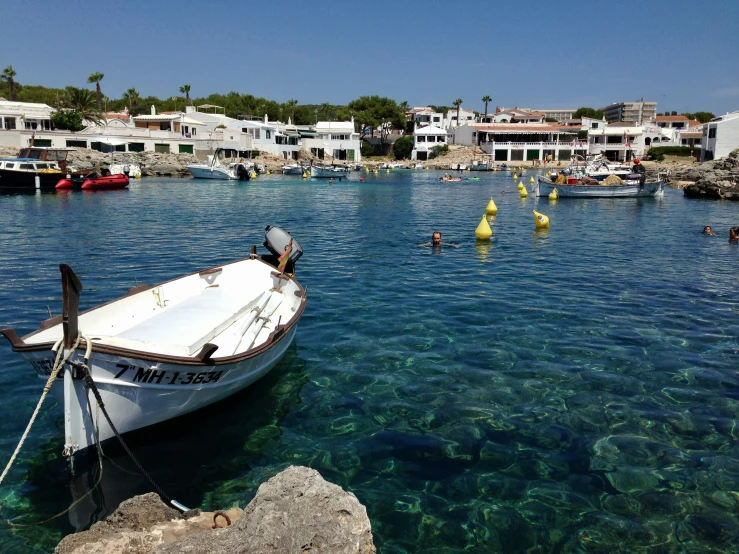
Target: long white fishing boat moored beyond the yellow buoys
632 186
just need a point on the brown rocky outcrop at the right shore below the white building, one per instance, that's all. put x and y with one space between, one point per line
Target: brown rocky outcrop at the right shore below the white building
717 179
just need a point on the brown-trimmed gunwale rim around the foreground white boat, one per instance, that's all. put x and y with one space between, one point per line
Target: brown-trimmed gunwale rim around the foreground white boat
19 345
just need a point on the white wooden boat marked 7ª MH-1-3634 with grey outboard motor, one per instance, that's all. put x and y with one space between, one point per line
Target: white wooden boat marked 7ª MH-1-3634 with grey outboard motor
166 350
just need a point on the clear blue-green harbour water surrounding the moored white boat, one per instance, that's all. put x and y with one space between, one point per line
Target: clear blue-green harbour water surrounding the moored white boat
569 390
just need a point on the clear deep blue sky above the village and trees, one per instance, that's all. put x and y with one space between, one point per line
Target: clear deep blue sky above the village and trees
539 54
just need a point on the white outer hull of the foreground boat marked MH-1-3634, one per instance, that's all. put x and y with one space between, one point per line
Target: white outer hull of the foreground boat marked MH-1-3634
138 393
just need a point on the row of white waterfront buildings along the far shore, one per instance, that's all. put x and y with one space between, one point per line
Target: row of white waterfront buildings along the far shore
513 135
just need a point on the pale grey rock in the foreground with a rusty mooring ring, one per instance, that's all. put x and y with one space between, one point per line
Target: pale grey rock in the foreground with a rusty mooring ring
295 511
